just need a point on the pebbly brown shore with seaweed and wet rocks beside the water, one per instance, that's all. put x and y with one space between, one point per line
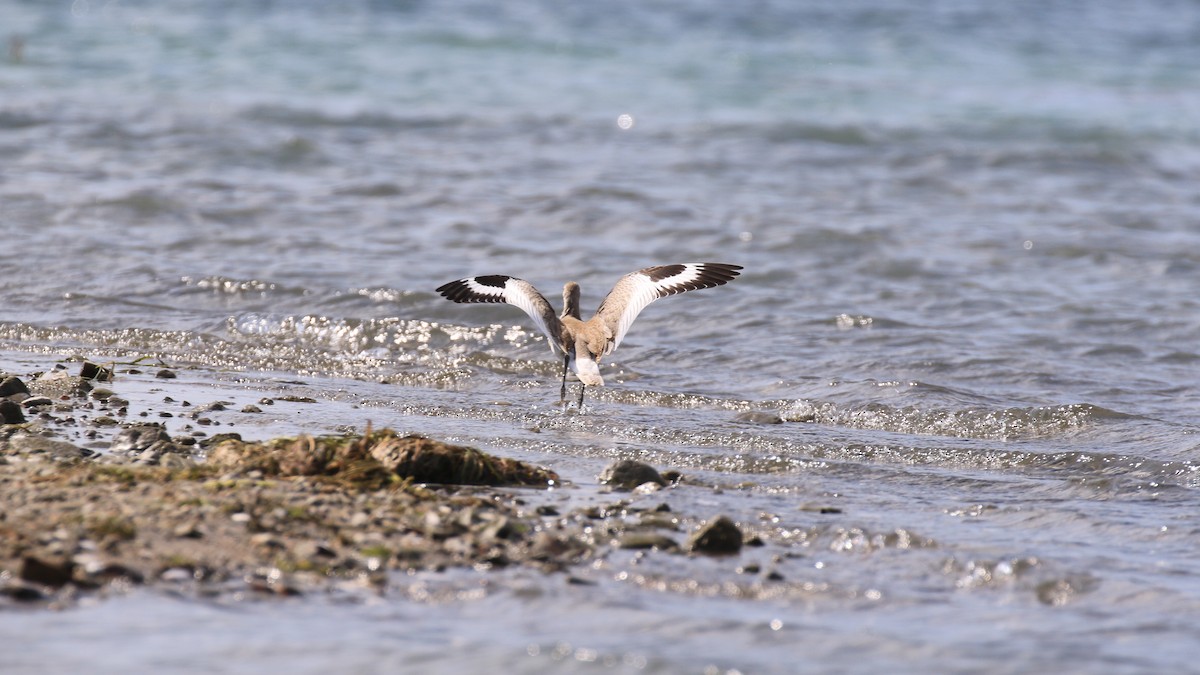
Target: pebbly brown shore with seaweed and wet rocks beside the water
213 516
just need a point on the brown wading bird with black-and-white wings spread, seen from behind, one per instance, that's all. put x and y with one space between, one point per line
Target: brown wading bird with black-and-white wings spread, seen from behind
583 344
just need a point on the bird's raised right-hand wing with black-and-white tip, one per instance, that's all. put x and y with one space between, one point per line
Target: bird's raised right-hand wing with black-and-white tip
639 289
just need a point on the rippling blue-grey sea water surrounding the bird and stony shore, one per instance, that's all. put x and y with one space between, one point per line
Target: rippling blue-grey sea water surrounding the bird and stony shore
971 261
